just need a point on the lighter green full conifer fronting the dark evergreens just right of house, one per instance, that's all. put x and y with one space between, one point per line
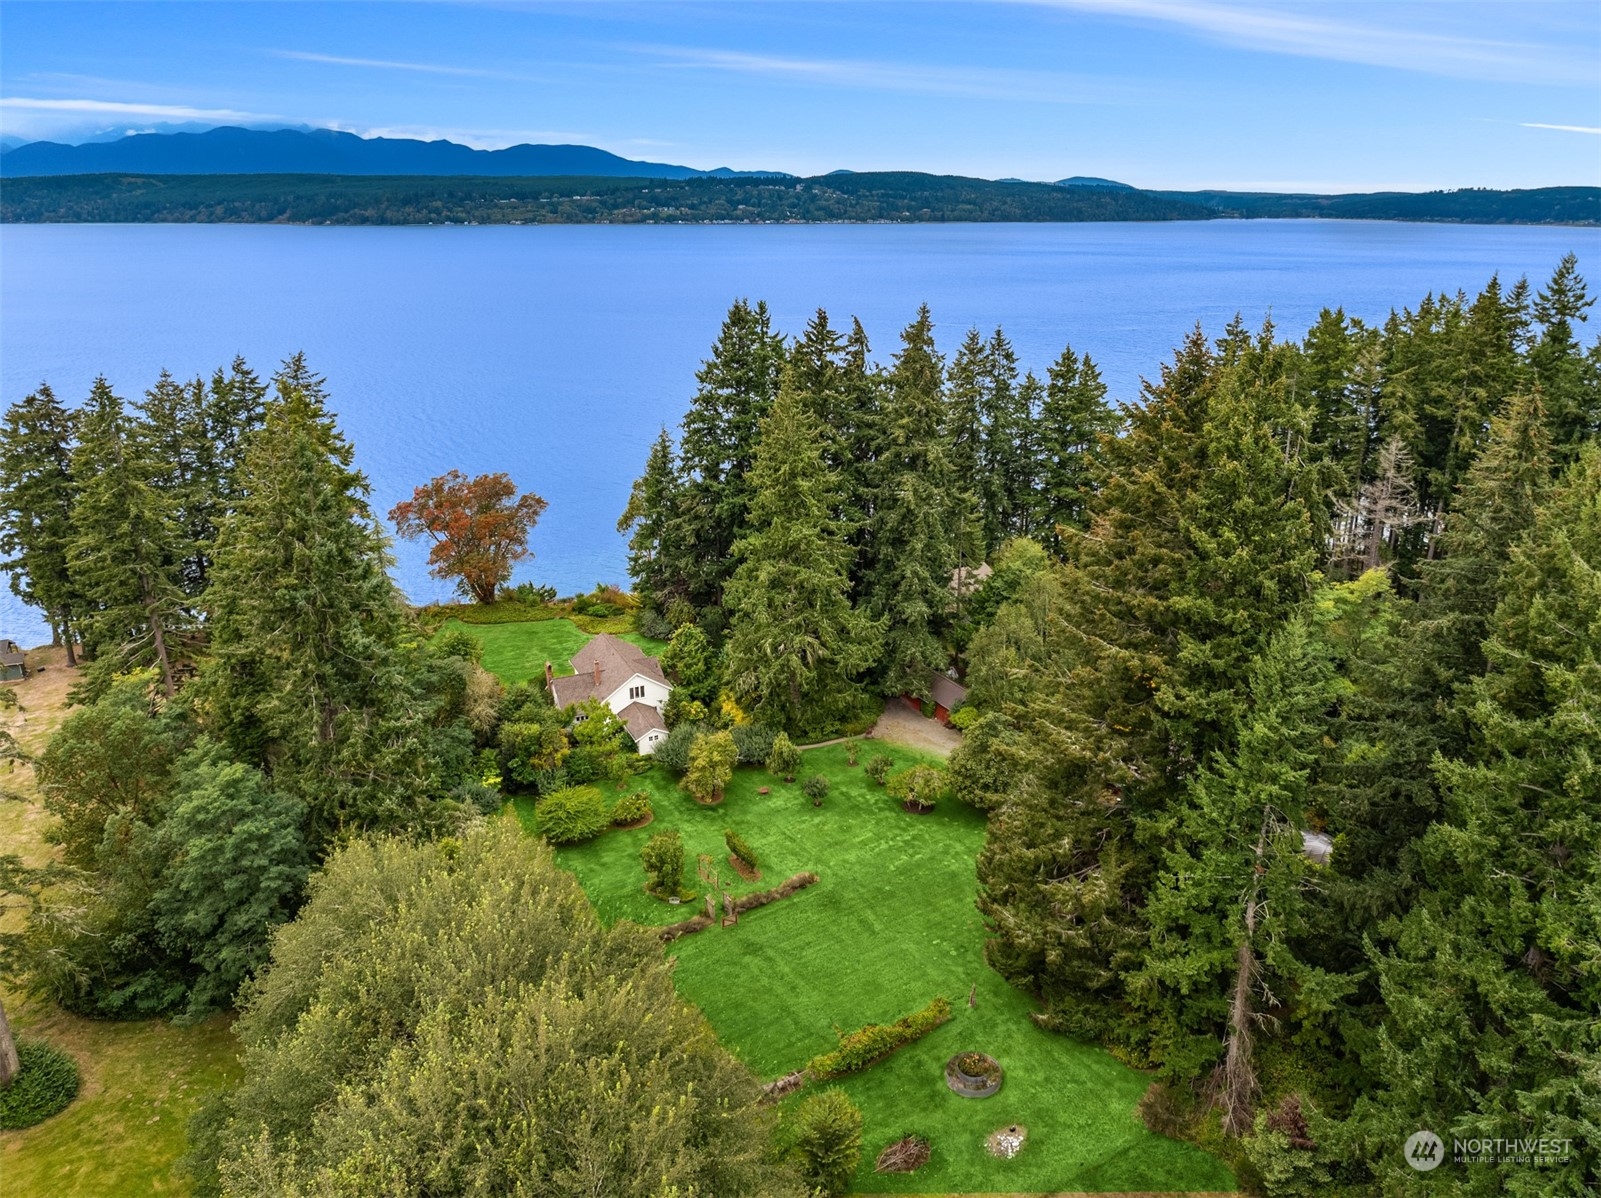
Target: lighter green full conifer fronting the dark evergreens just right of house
795 641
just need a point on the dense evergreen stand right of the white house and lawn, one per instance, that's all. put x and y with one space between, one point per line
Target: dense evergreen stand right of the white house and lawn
1344 585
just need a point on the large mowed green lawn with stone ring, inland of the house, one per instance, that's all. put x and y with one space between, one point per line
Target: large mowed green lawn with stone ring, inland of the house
889 927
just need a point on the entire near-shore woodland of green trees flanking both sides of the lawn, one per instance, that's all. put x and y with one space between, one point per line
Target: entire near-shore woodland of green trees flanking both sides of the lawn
1346 585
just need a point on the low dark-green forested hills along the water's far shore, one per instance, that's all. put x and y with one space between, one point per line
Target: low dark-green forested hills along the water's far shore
901 198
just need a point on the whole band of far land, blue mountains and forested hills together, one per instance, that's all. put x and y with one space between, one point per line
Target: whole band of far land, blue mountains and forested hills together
324 177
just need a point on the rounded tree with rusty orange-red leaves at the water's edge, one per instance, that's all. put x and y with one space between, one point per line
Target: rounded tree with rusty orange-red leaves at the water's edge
479 529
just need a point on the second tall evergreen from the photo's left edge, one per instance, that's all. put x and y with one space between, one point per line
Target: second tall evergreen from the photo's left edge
126 547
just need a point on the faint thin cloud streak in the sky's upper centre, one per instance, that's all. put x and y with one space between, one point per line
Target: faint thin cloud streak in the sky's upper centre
942 81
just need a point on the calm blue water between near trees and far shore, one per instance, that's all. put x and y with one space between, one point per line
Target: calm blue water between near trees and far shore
556 353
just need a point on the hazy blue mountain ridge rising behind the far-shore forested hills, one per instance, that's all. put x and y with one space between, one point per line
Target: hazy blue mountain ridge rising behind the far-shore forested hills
239 151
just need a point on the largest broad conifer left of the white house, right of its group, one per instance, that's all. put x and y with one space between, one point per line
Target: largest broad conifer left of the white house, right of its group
308 680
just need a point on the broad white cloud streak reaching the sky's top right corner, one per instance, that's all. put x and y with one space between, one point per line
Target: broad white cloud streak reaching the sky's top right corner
1302 31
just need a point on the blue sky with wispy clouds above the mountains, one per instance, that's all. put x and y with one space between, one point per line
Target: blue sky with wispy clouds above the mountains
1166 94
